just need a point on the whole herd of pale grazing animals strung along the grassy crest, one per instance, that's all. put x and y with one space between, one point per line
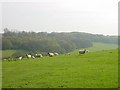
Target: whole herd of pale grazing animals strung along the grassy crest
49 54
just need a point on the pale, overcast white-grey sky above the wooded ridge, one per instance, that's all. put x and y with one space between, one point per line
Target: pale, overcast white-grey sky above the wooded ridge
91 16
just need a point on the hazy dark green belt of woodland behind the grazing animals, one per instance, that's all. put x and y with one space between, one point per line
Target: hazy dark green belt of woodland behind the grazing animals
51 42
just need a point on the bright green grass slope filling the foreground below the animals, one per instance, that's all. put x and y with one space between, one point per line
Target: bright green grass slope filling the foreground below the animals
92 70
